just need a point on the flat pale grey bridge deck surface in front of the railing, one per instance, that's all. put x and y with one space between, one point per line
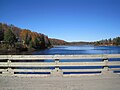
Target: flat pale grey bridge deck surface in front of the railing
100 82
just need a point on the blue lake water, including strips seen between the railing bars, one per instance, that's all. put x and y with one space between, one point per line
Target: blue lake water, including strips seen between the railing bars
79 50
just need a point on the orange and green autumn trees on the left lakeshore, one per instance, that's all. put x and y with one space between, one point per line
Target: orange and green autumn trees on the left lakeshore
12 37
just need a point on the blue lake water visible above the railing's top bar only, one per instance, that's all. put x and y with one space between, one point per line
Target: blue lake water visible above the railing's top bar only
82 49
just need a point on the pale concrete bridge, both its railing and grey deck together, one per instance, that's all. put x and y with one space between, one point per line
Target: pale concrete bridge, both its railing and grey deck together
106 80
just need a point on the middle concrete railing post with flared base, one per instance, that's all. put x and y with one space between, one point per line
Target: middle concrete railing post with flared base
57 71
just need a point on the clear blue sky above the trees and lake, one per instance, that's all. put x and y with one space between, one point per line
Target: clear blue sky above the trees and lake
70 20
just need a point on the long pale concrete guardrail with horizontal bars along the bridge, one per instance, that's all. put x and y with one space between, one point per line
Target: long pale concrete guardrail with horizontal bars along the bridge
35 65
